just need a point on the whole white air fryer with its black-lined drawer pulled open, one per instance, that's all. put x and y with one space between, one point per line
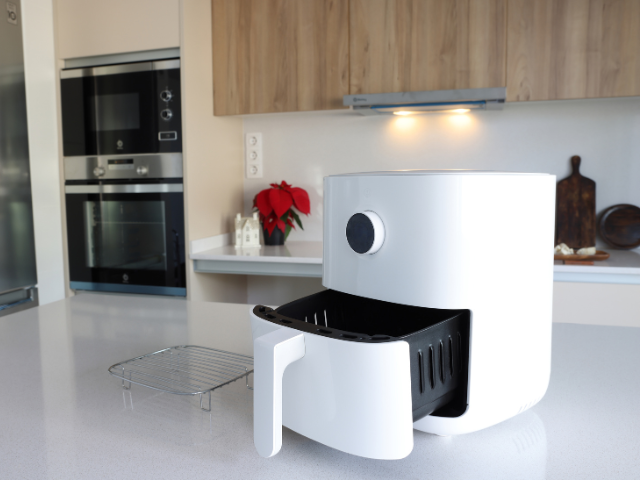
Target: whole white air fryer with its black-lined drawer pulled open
437 315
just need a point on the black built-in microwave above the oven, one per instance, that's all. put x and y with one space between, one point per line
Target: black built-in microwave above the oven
121 109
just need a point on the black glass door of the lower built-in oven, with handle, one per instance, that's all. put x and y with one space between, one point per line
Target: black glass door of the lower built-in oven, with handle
127 238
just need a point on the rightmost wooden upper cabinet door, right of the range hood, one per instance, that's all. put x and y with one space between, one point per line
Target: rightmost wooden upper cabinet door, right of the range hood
562 49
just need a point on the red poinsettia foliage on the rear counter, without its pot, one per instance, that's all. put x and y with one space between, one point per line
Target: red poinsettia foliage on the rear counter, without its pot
276 205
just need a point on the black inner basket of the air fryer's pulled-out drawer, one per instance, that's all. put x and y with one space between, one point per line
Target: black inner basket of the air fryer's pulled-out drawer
438 340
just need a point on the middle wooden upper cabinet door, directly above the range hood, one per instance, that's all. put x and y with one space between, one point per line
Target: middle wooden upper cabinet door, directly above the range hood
413 45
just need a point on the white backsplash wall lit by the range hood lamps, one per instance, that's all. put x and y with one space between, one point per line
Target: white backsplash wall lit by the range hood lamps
302 148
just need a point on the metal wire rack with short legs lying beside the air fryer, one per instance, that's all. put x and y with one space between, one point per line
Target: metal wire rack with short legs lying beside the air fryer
185 370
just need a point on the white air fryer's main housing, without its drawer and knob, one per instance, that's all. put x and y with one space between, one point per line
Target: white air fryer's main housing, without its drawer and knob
459 240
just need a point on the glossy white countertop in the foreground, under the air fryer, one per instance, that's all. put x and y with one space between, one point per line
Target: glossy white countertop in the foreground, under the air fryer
64 416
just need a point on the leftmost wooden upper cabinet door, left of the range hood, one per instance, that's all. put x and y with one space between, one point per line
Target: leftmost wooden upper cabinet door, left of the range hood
279 55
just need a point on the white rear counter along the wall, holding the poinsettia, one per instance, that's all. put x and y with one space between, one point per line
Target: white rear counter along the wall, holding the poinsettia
304 259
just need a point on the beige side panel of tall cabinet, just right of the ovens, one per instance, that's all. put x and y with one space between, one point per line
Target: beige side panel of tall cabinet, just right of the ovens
212 149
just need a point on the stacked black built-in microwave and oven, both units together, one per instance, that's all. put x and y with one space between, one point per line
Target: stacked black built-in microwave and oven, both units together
122 140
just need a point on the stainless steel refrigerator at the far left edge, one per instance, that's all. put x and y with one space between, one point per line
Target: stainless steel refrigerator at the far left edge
17 245
